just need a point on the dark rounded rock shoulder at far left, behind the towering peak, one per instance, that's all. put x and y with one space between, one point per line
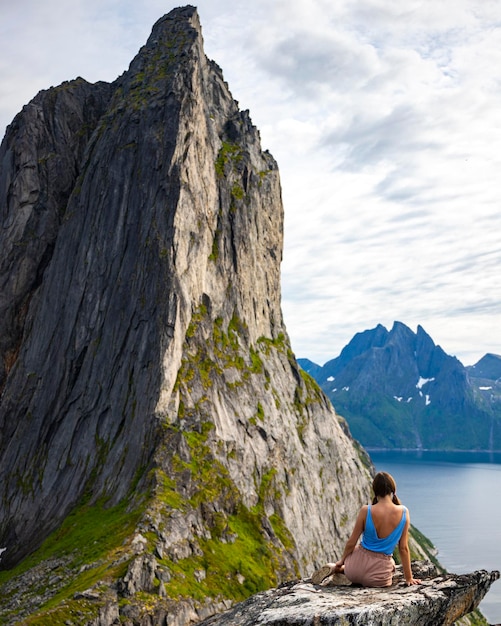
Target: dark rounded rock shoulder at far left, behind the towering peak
40 159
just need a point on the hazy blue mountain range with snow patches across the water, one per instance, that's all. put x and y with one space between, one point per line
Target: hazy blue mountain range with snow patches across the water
397 389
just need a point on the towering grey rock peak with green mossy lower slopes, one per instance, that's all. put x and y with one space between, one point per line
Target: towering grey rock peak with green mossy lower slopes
152 413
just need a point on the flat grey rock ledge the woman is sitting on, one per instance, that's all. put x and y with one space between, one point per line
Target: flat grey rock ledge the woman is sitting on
437 601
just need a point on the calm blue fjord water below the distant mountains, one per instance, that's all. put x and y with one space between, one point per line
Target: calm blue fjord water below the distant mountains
454 499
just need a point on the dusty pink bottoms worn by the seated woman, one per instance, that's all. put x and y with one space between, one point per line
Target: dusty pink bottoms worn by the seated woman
370 569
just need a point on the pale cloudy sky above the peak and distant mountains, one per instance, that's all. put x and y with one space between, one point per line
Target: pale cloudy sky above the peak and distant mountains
385 120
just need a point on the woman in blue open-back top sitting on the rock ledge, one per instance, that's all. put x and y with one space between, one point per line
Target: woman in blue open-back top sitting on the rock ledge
383 525
